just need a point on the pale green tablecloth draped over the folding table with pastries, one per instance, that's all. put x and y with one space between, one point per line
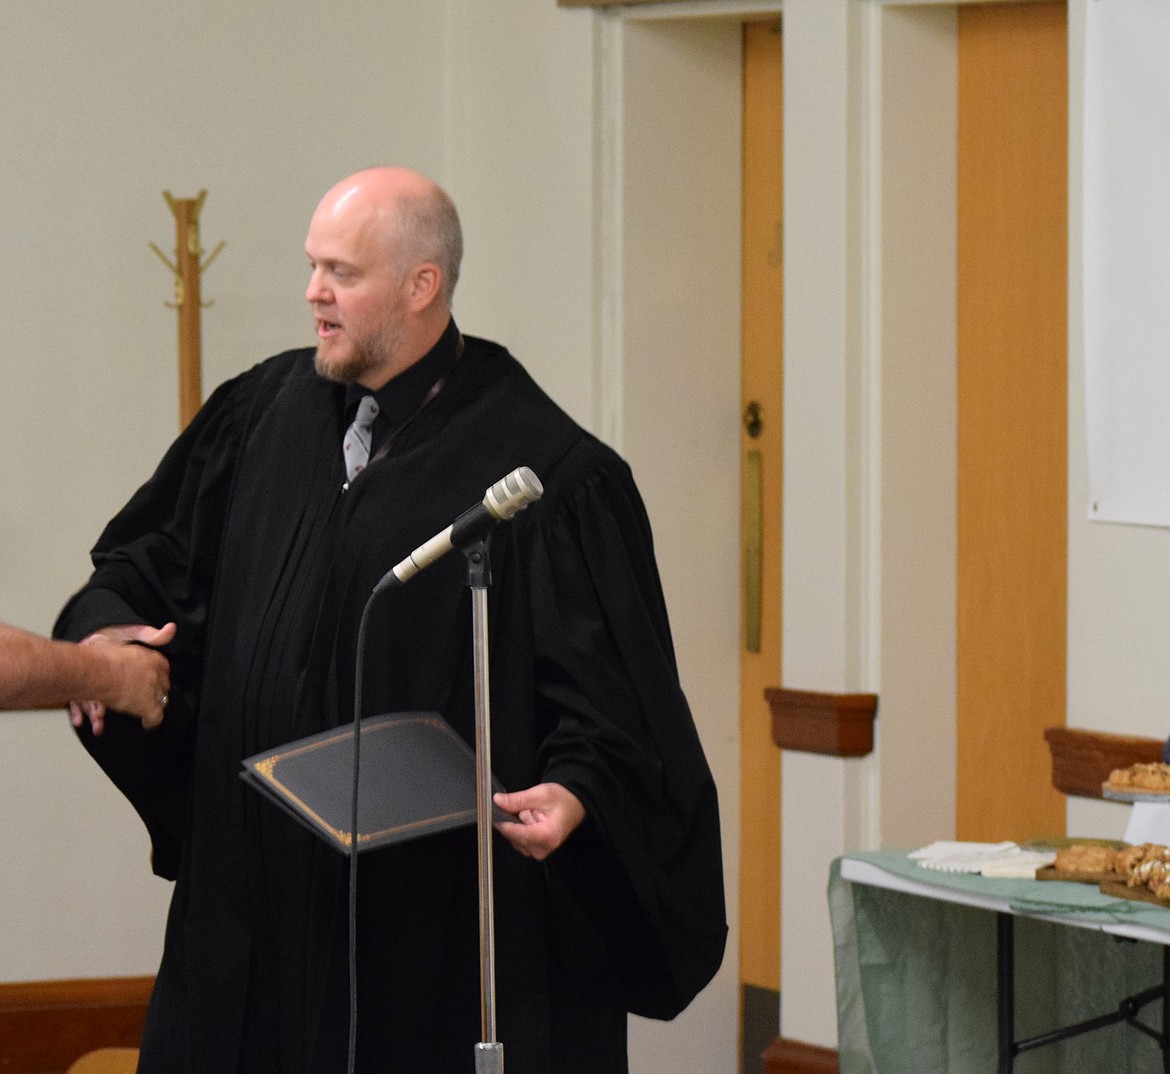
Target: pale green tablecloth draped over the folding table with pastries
917 976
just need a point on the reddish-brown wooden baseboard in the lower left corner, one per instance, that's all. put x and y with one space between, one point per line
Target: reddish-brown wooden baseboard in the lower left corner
46 1025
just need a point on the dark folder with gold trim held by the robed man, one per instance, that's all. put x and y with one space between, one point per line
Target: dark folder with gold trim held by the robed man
416 777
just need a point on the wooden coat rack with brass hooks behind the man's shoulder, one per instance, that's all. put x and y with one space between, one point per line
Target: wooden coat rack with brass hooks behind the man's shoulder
188 271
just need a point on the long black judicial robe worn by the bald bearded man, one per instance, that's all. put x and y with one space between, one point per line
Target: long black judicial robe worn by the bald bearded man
245 539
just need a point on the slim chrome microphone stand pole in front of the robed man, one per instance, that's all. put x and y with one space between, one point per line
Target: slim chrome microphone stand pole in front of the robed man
490 1054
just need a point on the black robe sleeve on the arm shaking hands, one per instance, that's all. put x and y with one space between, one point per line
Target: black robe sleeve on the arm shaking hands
155 563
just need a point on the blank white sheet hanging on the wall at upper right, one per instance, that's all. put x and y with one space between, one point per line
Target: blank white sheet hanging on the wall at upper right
1127 260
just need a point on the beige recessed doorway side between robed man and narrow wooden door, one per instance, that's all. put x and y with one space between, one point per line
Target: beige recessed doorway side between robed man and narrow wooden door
672 257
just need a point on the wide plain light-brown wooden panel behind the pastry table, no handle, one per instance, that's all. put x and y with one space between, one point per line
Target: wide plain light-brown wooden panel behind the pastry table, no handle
1013 416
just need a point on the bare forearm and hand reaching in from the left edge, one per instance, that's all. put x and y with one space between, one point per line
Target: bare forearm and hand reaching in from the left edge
37 673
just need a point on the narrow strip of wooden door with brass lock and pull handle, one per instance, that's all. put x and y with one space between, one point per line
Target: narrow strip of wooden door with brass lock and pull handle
761 465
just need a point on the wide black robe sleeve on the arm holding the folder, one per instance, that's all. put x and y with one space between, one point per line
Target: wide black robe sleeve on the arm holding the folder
642 883
